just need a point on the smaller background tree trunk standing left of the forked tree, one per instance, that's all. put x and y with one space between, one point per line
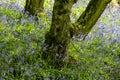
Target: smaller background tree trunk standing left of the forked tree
34 7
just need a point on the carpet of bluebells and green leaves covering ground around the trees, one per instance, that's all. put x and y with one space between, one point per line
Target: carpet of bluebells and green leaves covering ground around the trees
22 36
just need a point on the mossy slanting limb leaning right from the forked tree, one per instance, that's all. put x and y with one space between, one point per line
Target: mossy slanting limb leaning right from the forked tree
90 16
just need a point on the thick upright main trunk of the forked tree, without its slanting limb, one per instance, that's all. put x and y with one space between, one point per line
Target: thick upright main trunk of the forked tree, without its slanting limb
55 48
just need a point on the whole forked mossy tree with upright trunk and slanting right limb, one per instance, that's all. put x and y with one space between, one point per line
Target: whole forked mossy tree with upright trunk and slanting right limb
55 48
